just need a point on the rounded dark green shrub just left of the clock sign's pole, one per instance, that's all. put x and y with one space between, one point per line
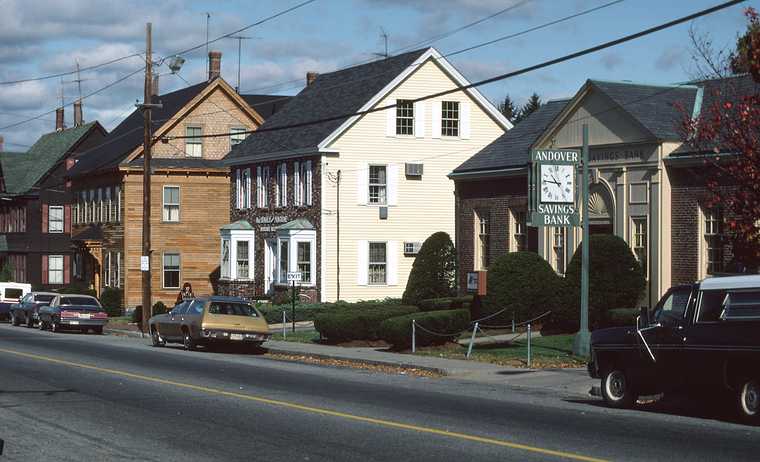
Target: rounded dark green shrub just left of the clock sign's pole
523 284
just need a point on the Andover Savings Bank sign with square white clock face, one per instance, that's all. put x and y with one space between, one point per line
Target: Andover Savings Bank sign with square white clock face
552 187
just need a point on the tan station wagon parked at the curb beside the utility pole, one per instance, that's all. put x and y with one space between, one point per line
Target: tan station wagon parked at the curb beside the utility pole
211 319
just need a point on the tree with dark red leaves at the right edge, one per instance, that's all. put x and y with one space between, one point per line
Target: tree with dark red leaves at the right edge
730 128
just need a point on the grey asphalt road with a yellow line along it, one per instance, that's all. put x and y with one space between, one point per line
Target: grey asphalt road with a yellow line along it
73 397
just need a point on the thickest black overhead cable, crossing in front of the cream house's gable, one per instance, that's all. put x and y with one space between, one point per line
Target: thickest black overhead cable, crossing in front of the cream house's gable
496 78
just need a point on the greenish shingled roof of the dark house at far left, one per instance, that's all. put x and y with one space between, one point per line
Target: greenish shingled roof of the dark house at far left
23 171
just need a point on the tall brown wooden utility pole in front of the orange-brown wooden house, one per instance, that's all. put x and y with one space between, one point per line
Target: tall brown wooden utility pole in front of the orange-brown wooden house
147 106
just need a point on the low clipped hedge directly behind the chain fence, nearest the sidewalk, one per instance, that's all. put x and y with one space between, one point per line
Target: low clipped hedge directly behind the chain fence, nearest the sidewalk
398 330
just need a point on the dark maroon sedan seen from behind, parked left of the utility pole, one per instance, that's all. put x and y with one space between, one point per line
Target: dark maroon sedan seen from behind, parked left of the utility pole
71 311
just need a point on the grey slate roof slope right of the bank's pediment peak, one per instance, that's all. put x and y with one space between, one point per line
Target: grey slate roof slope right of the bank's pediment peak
659 109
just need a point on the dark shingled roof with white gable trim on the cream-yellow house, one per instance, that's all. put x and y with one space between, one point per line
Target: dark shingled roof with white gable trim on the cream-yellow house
336 94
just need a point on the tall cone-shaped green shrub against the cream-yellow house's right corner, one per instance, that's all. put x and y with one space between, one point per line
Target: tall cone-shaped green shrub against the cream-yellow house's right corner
433 272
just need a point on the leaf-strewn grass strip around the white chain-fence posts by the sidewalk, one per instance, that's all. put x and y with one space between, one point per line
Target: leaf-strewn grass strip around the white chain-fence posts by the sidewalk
546 352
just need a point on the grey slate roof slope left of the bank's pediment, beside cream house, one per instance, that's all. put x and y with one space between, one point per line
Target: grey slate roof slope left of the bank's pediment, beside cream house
512 149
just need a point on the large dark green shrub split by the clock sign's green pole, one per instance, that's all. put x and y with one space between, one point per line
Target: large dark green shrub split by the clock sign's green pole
615 281
